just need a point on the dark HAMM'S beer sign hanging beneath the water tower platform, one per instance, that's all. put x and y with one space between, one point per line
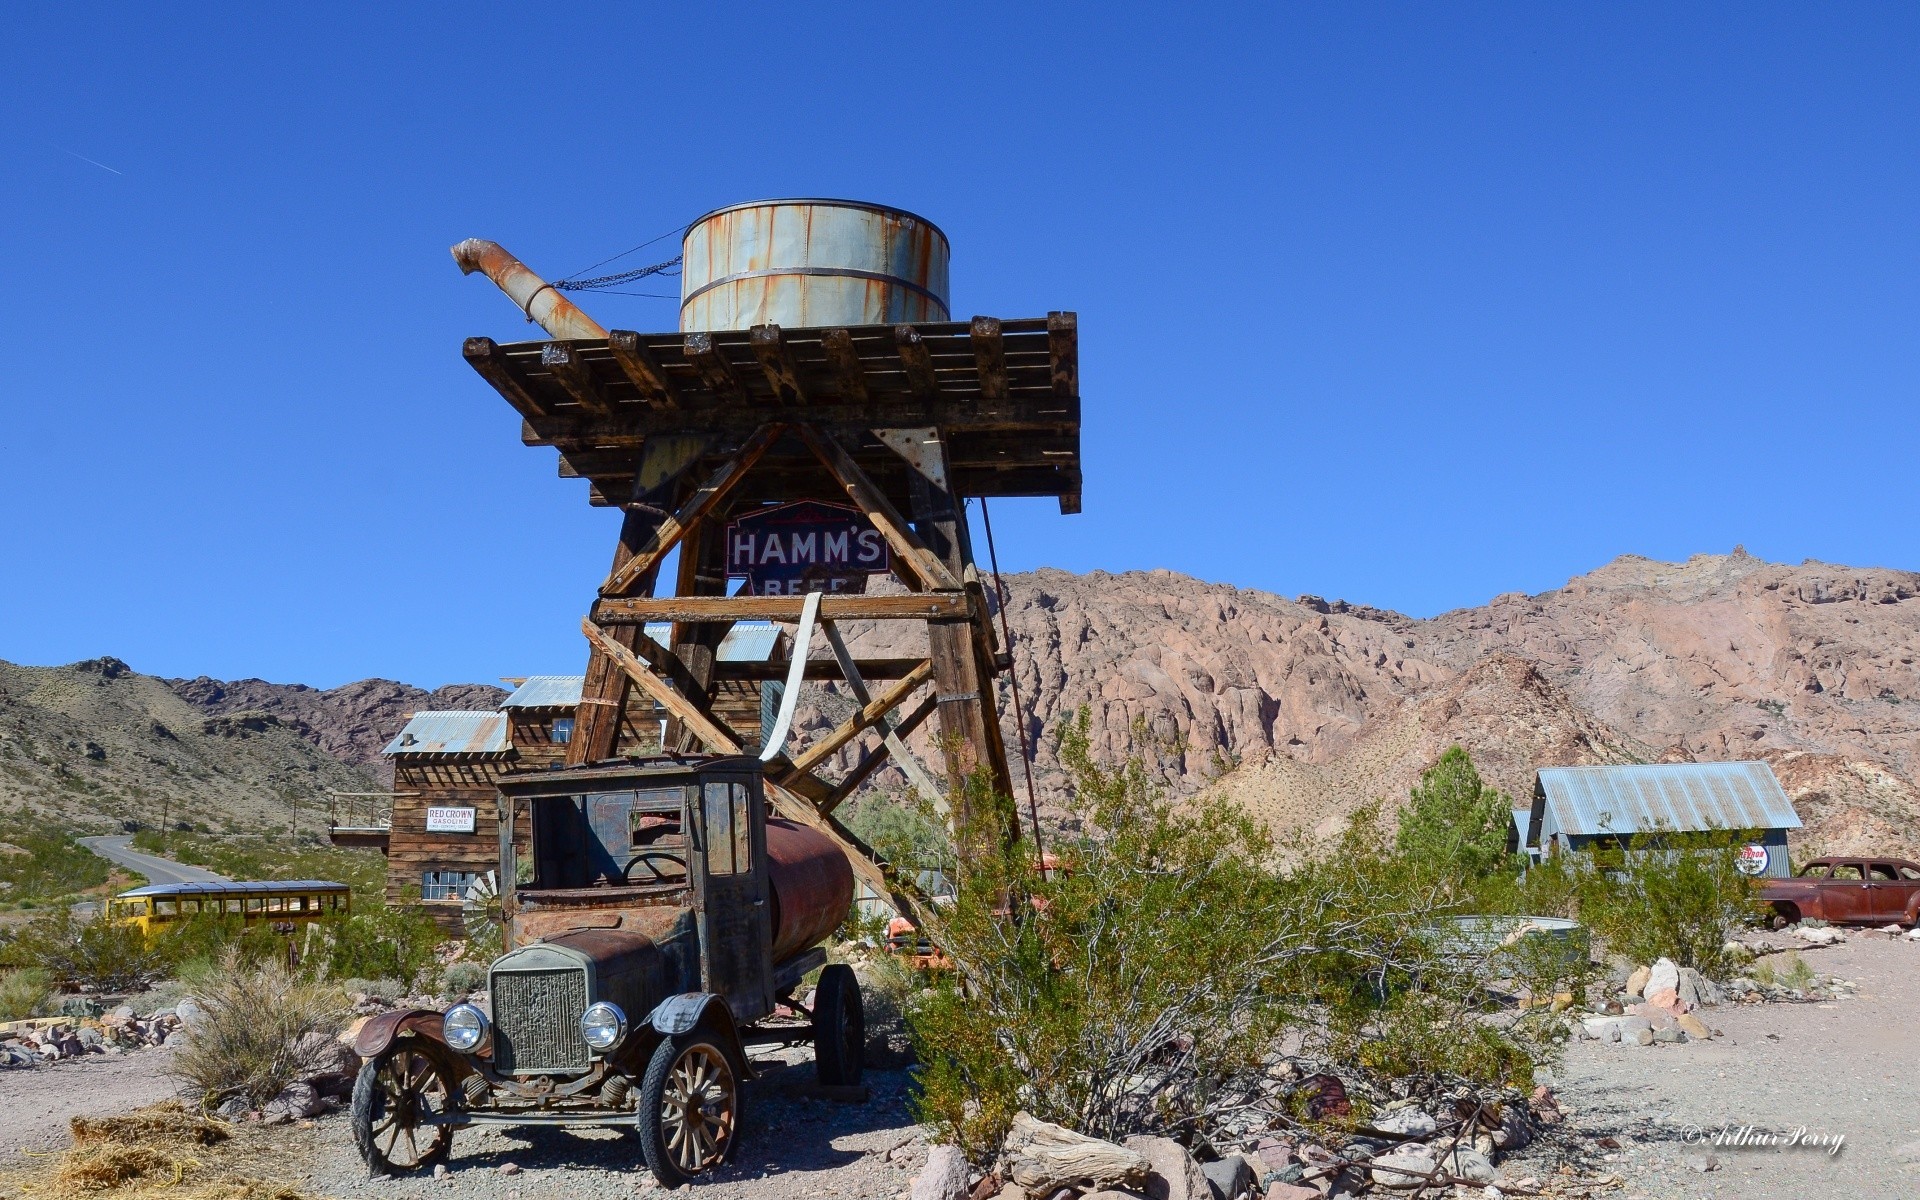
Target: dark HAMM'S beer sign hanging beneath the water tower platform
805 546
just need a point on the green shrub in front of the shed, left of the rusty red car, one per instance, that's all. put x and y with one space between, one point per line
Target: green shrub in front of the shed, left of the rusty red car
1669 901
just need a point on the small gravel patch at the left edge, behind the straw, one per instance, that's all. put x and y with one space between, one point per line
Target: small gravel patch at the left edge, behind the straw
36 1103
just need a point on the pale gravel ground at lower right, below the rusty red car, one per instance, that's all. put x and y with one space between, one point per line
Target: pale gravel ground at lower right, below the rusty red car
1835 1068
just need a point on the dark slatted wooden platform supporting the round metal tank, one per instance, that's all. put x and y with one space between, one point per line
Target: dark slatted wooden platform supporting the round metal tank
1003 393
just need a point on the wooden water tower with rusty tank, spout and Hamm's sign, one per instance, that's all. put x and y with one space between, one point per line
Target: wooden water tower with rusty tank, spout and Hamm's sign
817 395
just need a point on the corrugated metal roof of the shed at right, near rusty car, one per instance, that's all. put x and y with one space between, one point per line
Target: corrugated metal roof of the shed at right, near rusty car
1666 796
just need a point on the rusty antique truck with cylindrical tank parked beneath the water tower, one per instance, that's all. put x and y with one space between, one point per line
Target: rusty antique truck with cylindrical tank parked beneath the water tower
663 923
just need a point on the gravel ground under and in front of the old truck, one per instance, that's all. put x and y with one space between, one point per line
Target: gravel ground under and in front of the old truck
792 1149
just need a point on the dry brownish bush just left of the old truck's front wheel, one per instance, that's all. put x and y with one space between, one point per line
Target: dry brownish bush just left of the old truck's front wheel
251 1038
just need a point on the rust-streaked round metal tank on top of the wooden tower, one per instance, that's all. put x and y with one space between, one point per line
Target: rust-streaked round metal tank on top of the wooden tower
807 264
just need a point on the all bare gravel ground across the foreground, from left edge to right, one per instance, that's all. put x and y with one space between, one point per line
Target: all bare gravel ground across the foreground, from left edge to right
1840 1068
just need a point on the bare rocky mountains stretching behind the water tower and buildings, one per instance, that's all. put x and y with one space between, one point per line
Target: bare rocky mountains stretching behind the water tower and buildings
1297 708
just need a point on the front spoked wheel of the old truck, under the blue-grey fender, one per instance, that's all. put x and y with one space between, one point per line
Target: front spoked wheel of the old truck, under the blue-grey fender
688 1109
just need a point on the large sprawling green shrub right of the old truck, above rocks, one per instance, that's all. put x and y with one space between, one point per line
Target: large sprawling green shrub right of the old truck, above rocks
1140 988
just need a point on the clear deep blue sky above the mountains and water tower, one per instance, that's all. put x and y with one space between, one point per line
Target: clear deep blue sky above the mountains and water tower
1401 304
